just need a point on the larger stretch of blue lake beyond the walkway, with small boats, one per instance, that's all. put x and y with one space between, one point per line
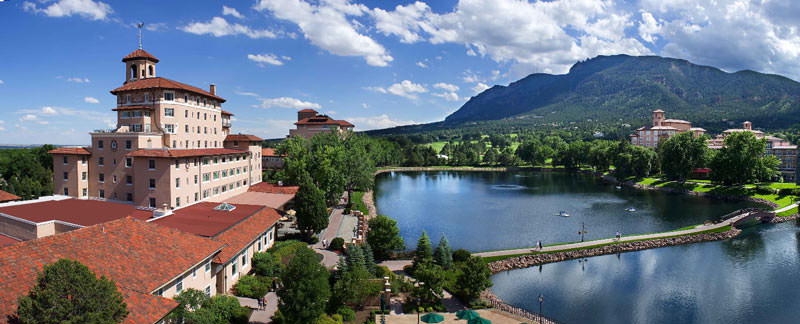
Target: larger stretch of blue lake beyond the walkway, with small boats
482 211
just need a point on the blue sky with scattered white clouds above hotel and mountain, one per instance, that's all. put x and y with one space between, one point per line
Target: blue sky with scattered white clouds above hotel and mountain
376 64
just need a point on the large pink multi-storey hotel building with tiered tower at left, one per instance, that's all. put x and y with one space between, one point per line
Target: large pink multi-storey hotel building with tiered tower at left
172 146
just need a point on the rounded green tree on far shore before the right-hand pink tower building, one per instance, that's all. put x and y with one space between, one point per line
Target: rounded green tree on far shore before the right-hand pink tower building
681 154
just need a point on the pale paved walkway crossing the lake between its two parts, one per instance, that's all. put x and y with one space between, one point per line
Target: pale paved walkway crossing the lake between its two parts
555 248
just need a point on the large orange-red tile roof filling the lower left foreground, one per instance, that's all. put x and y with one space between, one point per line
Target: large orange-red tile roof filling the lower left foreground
138 256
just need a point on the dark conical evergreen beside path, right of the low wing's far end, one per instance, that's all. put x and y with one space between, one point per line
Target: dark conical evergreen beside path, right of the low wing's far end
312 214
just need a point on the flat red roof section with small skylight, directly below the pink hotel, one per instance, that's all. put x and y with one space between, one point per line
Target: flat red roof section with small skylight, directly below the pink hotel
203 220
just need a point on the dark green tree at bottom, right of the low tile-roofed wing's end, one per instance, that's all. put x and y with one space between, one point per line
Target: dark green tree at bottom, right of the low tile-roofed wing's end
304 290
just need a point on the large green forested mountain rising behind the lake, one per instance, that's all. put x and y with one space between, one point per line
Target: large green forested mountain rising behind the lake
622 88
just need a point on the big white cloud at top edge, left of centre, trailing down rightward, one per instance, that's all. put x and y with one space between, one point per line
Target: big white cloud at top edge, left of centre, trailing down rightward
326 25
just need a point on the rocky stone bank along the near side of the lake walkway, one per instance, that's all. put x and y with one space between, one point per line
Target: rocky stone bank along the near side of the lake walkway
525 261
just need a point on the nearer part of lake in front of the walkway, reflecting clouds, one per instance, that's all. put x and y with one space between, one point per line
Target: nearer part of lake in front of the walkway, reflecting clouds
752 278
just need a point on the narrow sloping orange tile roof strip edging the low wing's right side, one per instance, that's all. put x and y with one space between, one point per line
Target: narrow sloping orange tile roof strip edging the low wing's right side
245 232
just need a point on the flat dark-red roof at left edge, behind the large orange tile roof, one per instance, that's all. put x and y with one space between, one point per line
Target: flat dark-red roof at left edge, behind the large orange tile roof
83 212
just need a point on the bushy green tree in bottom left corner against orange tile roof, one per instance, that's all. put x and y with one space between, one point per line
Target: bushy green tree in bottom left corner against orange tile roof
68 292
